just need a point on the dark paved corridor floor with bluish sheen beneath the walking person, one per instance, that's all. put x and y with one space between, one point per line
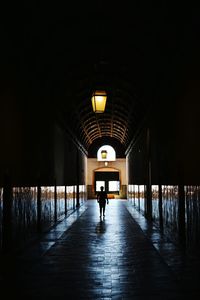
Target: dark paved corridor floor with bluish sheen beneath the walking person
118 257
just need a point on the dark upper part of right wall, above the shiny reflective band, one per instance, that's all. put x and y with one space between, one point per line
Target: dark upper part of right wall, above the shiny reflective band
174 143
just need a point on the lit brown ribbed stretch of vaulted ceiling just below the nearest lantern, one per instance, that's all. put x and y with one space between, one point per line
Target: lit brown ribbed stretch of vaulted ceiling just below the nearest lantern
119 121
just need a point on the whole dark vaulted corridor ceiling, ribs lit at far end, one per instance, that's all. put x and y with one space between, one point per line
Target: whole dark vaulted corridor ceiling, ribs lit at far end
134 51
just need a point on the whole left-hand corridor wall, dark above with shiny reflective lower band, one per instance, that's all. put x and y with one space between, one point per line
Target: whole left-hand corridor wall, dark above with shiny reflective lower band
35 151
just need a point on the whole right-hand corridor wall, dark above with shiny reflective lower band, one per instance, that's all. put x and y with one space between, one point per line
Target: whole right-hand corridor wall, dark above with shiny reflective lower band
175 164
